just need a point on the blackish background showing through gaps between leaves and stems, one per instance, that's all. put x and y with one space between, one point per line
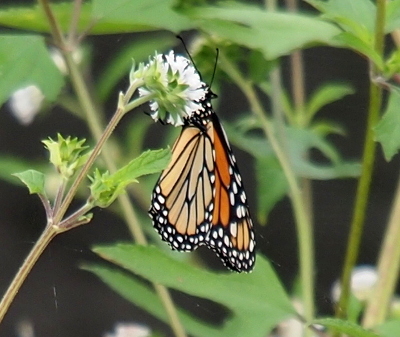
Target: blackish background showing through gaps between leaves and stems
61 300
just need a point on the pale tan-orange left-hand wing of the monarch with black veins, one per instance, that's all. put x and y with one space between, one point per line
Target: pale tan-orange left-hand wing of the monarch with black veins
182 199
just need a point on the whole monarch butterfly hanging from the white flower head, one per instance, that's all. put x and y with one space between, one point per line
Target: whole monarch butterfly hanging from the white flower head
199 198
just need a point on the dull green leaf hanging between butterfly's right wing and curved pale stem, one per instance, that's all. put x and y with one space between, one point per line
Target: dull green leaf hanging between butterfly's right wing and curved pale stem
271 186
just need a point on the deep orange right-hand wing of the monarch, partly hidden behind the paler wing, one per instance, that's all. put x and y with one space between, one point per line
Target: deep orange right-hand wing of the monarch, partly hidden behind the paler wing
231 234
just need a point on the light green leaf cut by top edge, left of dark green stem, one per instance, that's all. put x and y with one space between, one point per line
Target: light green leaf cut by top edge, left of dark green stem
357 17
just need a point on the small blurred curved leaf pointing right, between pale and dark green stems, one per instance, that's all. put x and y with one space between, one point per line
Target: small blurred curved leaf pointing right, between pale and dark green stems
326 94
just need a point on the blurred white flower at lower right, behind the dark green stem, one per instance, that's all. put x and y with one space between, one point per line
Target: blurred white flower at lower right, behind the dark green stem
363 280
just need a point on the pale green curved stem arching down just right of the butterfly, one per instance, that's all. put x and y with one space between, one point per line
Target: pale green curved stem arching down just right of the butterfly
304 230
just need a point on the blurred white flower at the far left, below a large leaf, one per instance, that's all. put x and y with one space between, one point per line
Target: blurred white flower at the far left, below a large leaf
25 103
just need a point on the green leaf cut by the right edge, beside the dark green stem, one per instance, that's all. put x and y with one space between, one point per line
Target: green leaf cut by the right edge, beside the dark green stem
387 131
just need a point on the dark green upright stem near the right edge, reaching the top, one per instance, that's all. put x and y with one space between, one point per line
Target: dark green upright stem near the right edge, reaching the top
364 183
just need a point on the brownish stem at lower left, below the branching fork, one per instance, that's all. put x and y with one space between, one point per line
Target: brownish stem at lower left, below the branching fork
48 234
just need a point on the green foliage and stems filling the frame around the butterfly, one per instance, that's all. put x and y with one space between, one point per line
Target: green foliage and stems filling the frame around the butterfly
252 42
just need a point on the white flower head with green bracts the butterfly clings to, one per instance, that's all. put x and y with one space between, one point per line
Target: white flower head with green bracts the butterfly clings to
175 86
